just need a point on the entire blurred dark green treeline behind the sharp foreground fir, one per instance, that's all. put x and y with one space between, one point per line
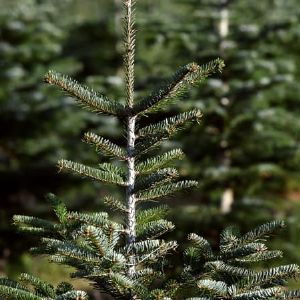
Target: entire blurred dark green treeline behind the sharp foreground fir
245 151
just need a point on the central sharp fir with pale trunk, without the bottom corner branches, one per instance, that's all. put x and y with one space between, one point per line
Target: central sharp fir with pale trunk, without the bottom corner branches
112 255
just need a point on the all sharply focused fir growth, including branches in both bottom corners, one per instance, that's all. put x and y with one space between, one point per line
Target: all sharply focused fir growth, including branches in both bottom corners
127 259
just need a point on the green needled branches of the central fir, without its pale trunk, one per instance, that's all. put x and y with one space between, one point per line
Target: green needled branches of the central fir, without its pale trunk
99 250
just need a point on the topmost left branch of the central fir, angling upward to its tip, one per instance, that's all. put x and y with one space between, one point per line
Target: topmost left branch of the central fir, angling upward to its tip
85 96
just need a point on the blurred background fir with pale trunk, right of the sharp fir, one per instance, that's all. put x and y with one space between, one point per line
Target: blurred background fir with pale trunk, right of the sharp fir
246 152
